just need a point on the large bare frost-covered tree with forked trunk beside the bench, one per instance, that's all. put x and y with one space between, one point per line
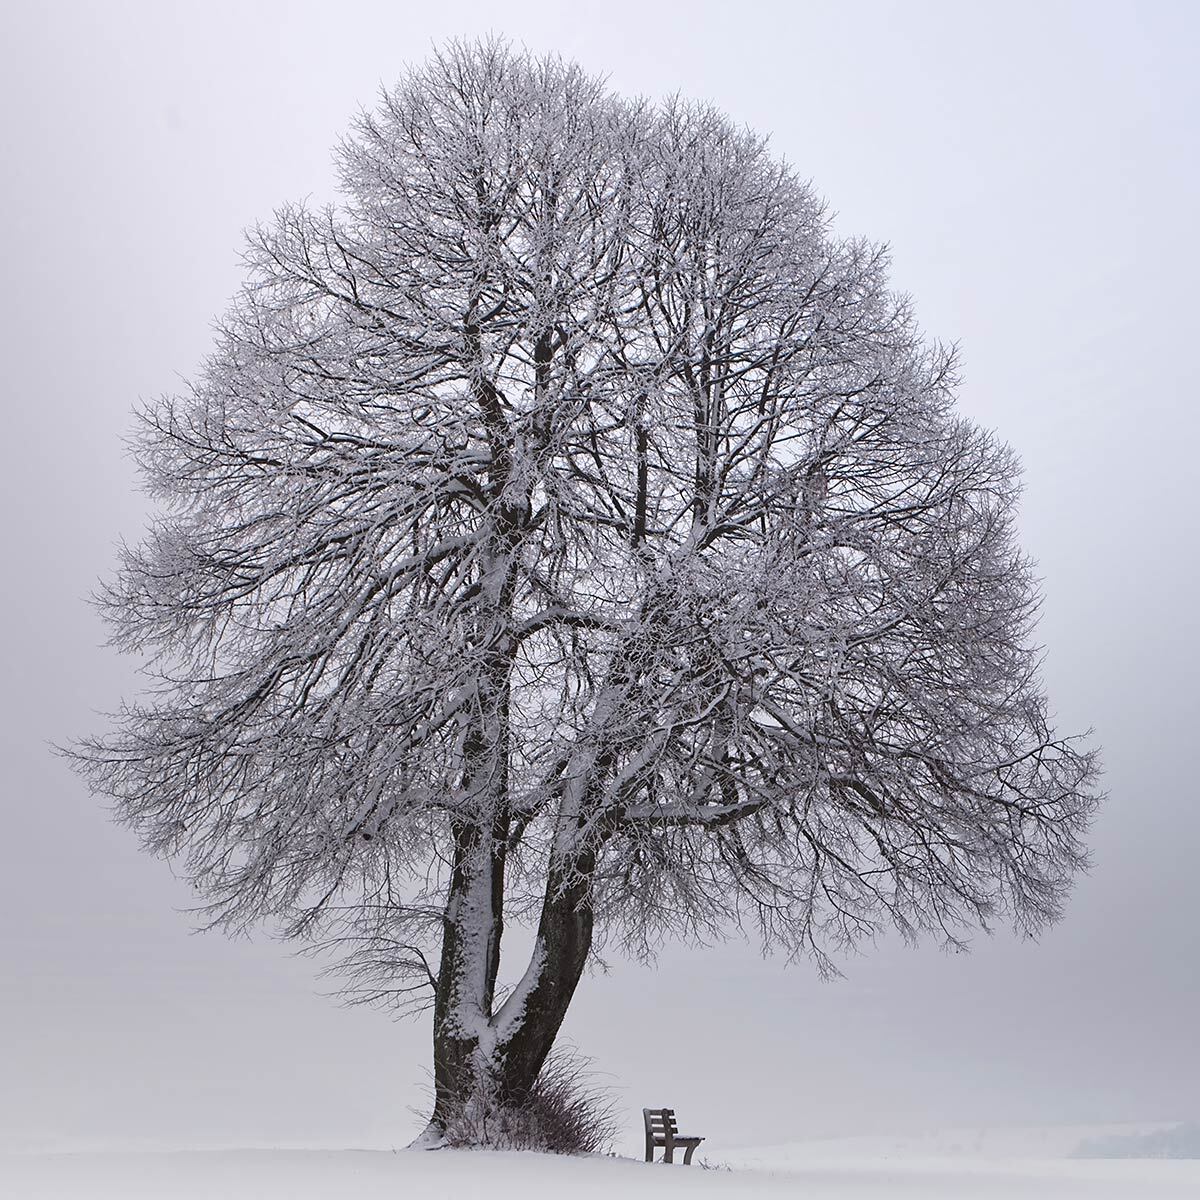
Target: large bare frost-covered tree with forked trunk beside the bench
568 529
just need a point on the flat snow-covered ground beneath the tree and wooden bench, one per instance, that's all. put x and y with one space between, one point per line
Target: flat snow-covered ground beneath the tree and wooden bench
965 1166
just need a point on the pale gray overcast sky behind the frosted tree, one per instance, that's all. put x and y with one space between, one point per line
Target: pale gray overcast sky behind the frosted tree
1034 167
